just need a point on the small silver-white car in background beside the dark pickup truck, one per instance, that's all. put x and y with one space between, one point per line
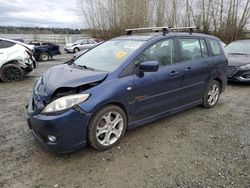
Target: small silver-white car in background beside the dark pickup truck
80 45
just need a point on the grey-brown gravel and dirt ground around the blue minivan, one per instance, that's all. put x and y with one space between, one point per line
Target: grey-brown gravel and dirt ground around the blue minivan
195 148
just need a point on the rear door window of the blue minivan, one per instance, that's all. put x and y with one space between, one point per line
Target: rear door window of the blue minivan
193 49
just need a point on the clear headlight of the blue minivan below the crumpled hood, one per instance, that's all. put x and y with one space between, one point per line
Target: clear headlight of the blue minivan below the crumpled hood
64 103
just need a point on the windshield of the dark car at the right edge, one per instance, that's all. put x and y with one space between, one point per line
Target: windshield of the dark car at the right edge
241 47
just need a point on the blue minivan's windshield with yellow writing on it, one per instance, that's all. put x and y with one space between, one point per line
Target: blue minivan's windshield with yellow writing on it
109 55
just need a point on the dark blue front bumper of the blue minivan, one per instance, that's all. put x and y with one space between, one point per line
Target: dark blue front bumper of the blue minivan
67 129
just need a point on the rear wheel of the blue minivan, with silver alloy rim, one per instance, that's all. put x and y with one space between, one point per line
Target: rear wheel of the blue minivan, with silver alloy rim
212 94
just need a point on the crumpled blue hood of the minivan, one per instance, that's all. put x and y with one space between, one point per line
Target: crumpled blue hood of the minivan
67 76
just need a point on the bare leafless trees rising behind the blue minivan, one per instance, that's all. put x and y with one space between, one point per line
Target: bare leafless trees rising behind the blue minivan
224 18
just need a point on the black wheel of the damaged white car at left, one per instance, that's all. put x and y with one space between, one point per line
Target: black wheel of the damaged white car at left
11 73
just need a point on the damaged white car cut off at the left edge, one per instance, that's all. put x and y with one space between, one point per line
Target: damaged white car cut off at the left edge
16 60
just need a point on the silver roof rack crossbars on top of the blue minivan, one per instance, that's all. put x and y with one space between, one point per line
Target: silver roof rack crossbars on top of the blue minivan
165 30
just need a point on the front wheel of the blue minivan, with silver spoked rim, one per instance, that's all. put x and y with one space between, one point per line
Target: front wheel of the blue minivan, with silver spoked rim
103 132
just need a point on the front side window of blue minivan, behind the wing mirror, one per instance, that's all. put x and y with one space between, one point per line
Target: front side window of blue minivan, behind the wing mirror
163 52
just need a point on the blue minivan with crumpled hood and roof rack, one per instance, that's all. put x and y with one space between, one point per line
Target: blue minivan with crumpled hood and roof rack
123 83
